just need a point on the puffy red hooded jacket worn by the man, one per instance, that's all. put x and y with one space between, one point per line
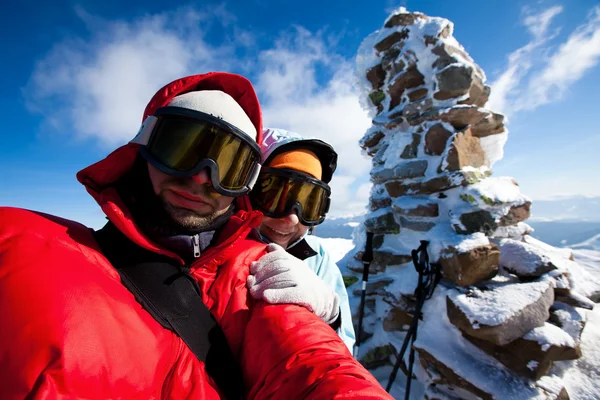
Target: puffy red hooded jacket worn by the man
70 329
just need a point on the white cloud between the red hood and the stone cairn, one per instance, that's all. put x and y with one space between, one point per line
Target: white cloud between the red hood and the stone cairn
294 100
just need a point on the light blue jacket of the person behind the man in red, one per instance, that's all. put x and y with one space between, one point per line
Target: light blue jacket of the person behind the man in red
310 250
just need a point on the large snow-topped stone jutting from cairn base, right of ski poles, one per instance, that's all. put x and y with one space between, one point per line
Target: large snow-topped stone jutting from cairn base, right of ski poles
503 313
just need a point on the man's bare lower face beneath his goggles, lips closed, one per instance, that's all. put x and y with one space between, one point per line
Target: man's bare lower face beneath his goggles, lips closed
190 202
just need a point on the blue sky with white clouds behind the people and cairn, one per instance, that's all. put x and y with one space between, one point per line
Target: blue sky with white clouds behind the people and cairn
77 74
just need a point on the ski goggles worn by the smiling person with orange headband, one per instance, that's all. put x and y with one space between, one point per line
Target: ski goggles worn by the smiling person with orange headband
279 192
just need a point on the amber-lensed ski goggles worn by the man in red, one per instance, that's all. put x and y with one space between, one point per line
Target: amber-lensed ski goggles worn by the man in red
182 142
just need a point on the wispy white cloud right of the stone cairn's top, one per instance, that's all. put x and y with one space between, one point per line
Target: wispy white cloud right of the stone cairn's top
539 73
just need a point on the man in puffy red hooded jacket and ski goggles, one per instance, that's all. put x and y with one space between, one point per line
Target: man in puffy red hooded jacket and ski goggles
80 314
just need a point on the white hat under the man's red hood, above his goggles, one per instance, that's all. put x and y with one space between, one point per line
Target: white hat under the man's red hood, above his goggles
214 102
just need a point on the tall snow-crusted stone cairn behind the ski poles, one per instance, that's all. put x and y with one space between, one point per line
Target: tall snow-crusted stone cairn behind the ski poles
509 306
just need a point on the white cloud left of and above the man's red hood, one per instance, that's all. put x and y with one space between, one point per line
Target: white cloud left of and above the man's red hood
99 88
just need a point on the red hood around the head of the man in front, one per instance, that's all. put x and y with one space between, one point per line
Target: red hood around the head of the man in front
98 178
